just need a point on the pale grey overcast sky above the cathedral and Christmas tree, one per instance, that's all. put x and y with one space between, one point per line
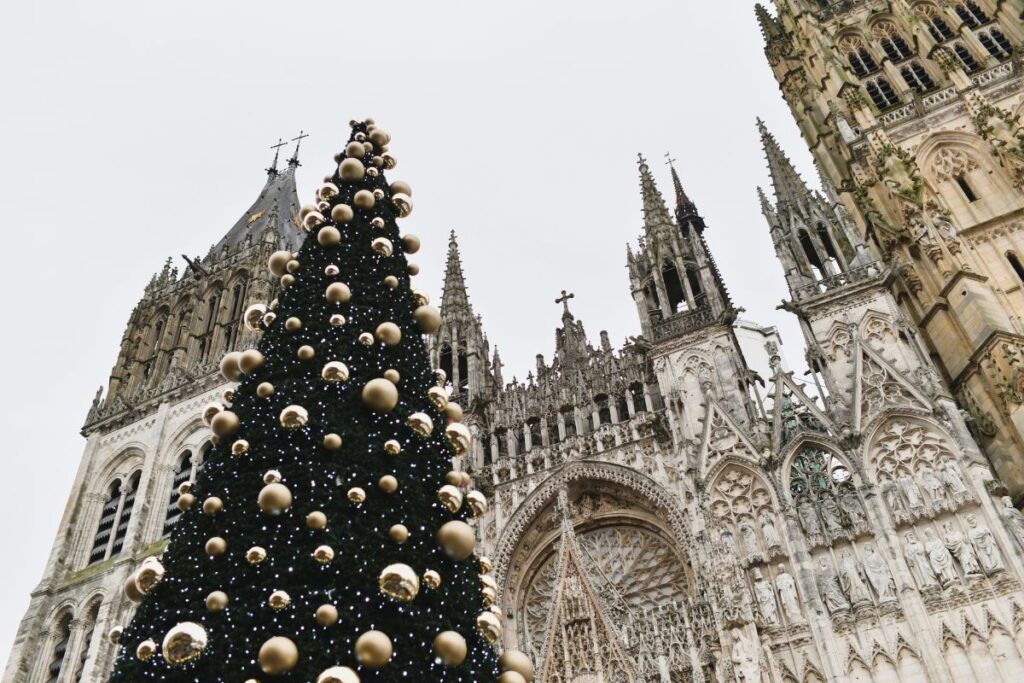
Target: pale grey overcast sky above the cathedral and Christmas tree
134 132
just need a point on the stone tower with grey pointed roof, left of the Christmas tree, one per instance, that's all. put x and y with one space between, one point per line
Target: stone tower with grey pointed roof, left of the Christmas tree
145 439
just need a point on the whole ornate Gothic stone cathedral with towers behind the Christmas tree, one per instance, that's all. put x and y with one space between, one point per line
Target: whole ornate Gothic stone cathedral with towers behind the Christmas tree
675 509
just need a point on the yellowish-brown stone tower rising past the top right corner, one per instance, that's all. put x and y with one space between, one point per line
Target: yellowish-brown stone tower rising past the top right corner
912 110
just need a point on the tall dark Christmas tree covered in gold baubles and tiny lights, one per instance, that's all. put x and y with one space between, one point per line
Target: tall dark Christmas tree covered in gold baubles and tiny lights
327 539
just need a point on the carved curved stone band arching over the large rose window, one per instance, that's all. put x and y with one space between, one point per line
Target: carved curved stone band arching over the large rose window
665 504
